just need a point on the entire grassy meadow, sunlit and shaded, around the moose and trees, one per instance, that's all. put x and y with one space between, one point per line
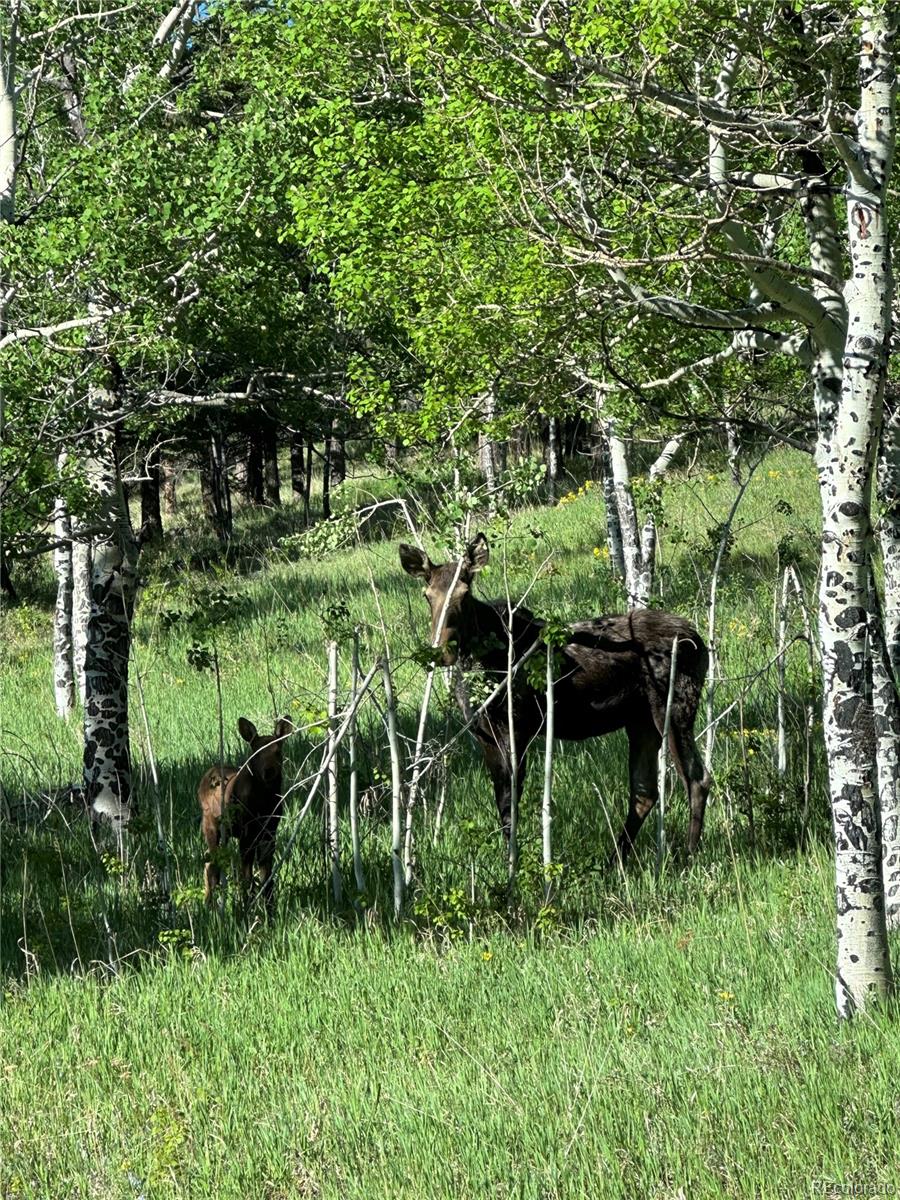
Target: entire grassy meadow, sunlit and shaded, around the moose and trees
632 1036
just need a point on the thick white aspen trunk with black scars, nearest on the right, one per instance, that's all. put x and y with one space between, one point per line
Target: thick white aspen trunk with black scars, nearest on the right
863 969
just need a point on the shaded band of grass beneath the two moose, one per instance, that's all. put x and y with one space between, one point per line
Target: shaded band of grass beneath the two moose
69 905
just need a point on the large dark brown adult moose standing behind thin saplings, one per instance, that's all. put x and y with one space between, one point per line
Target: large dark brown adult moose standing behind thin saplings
616 675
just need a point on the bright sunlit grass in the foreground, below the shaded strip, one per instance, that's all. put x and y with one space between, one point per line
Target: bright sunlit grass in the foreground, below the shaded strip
686 1051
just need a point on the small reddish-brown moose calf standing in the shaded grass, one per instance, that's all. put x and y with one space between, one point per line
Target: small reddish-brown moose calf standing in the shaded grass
245 803
